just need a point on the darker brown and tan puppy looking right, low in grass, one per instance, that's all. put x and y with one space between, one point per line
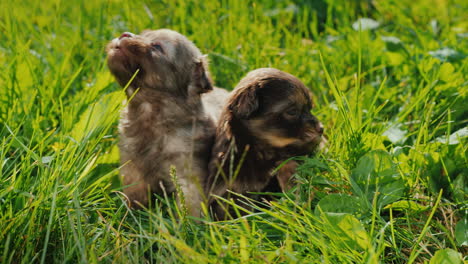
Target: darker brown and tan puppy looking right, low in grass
266 120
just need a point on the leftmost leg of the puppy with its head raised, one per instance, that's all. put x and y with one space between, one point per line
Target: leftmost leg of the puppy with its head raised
137 191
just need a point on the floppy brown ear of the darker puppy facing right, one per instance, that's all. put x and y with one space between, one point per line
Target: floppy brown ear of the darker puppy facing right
245 103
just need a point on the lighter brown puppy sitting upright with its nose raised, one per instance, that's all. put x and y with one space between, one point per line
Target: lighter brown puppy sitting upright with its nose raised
164 123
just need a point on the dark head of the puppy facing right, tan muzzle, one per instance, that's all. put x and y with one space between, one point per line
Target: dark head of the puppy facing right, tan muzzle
274 108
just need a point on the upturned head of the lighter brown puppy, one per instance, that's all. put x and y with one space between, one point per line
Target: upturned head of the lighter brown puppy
165 60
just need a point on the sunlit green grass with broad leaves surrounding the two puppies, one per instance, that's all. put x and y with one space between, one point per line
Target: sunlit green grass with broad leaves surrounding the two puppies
391 92
